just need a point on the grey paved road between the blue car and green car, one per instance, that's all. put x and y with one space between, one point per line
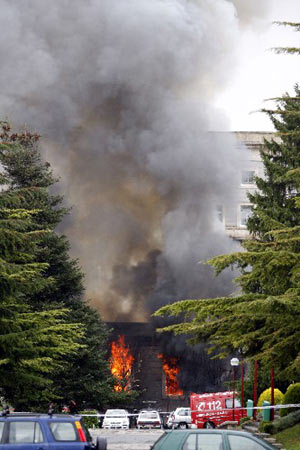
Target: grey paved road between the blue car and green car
128 439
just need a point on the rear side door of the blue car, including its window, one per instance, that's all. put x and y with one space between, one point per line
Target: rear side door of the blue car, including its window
24 435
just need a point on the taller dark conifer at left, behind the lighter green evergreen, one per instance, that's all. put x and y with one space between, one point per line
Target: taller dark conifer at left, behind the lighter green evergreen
85 375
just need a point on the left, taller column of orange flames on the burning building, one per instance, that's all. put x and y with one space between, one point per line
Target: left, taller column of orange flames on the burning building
121 364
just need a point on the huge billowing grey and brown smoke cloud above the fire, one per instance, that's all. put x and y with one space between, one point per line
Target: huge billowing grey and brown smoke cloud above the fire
122 91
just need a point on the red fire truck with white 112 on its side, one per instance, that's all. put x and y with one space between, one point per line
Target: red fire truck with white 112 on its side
210 410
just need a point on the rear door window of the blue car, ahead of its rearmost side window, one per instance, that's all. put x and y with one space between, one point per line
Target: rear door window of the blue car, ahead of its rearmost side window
24 433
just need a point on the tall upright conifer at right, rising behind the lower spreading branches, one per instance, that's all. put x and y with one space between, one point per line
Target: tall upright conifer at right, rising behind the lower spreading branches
274 201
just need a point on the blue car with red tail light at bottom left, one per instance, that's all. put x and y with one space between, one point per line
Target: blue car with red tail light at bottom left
46 432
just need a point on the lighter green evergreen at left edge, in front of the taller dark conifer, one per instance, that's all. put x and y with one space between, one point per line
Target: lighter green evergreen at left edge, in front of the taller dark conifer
32 344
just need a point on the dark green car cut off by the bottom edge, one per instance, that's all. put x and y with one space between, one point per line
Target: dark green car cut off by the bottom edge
210 439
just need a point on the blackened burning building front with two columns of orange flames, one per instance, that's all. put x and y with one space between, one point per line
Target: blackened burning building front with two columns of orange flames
163 381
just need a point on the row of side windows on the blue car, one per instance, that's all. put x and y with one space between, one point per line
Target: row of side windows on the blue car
31 432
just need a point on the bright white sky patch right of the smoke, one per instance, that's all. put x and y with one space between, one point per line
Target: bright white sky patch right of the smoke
260 73
